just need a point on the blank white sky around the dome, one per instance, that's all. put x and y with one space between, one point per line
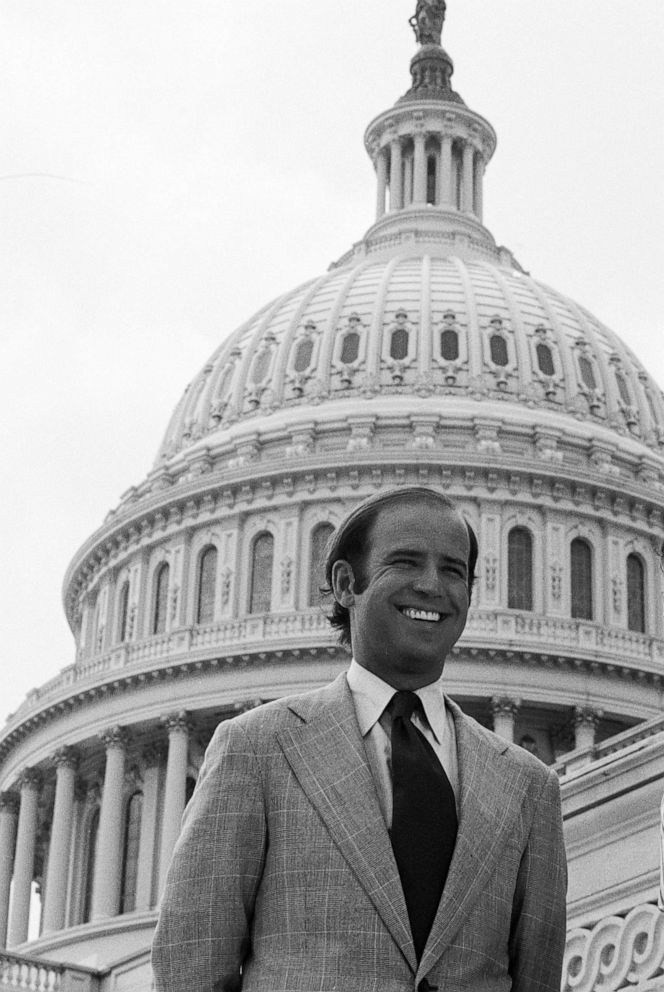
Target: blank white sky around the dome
168 166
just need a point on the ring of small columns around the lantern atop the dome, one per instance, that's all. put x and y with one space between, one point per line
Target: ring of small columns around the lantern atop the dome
443 171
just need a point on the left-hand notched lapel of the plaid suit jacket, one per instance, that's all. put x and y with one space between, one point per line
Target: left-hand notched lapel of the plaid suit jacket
327 755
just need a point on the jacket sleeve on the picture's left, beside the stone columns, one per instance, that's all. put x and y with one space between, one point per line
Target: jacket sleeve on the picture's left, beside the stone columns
202 934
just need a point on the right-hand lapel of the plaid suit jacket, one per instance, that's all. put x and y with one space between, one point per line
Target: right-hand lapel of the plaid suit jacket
484 779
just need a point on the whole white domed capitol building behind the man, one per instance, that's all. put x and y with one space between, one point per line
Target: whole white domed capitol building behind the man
425 355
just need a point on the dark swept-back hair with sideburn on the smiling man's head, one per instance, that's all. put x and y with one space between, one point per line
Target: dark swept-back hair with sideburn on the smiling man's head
349 542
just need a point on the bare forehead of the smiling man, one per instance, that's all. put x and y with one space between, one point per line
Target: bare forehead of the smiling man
423 521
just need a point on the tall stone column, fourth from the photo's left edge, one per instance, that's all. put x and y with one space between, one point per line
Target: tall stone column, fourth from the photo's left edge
108 863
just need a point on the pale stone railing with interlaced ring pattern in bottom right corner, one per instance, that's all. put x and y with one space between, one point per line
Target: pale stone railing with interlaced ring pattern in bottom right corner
617 953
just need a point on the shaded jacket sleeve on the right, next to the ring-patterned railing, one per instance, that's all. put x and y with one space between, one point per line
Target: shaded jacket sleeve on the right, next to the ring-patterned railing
537 936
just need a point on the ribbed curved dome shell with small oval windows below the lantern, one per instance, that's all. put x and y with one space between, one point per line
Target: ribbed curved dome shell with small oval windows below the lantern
421 327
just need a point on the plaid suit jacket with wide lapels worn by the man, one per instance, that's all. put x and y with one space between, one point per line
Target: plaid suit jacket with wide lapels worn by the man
283 878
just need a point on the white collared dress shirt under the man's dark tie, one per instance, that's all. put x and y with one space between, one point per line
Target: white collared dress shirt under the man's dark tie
370 697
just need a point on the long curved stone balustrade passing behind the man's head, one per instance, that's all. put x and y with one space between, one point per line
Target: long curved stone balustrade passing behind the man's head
505 630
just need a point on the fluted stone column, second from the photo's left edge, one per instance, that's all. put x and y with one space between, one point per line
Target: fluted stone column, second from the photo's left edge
29 783
